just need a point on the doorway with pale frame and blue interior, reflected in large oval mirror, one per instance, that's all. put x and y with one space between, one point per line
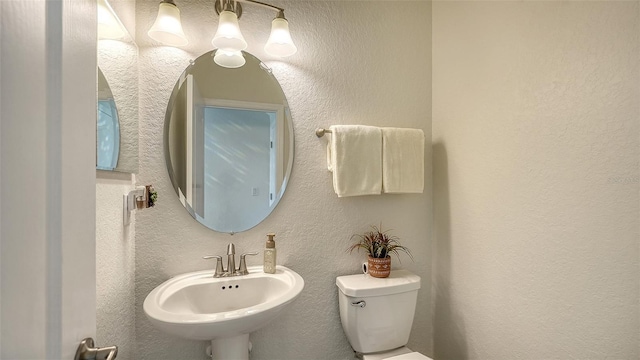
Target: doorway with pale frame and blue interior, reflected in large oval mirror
242 161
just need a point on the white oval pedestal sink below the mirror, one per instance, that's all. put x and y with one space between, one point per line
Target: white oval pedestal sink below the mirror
225 310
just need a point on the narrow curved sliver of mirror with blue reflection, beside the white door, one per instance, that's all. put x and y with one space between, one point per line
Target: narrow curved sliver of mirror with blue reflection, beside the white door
108 127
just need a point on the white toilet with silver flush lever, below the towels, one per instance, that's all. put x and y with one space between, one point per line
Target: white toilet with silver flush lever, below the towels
377 314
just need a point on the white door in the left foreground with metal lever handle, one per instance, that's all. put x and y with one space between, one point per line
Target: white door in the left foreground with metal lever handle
47 177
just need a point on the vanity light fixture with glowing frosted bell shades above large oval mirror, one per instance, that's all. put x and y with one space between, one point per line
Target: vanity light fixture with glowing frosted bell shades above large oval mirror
228 37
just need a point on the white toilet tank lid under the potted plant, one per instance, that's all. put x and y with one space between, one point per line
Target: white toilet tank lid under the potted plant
362 285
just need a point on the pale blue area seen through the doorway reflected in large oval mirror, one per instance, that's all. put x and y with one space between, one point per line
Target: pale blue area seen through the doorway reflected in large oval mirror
237 167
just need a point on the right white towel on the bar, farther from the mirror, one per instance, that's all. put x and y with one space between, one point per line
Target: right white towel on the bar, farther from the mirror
402 160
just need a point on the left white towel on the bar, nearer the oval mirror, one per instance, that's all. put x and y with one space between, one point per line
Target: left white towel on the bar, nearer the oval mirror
354 155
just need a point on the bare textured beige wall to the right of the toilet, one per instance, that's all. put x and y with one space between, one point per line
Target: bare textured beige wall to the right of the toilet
535 130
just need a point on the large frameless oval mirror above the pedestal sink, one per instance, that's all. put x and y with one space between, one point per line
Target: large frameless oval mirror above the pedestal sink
228 142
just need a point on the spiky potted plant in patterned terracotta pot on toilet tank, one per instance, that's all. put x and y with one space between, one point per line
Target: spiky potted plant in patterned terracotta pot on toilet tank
379 245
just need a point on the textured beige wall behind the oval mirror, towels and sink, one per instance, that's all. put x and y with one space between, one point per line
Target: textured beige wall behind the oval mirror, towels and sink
355 65
